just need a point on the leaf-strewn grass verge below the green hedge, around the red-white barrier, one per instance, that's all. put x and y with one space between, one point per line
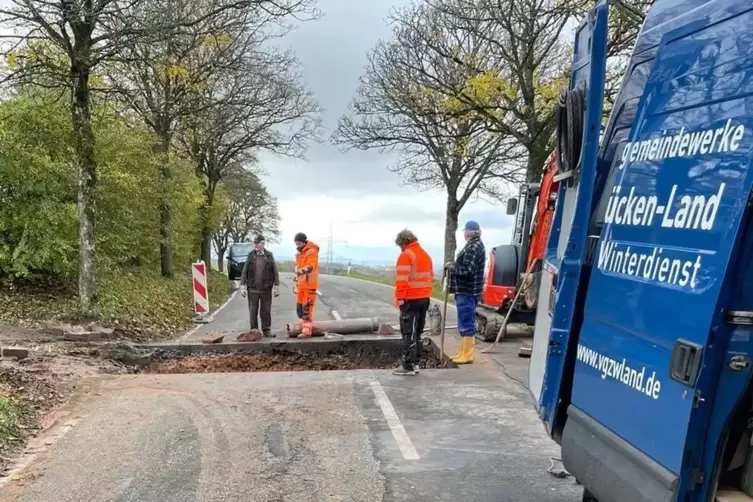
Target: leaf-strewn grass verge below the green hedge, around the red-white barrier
139 304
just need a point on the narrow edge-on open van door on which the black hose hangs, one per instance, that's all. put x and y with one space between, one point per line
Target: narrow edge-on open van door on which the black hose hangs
561 274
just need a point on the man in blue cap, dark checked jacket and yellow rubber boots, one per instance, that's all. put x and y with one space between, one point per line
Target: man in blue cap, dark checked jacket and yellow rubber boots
466 276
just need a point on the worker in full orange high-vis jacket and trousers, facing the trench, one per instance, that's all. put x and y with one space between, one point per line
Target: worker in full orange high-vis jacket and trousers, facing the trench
307 281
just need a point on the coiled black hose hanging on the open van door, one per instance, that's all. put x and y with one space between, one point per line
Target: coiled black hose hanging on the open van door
570 124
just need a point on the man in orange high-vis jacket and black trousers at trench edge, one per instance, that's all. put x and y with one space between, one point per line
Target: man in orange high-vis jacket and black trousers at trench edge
414 278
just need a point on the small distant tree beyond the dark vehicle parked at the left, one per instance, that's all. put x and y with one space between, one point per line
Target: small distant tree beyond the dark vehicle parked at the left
251 211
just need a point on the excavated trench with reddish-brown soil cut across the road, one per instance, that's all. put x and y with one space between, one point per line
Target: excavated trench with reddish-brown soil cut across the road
311 356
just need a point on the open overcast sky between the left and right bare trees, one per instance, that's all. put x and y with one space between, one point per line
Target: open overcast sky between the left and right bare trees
315 193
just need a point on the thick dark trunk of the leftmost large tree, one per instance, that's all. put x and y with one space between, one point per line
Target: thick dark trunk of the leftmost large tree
87 182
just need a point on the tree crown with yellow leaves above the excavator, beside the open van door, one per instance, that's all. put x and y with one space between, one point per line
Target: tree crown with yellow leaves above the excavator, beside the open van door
517 83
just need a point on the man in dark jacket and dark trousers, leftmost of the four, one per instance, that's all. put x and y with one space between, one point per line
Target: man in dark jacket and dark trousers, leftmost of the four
260 280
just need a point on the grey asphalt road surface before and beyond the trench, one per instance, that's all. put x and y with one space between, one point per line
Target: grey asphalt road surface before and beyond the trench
445 435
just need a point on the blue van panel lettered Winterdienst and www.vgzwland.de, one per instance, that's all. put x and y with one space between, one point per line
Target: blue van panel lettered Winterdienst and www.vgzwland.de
648 354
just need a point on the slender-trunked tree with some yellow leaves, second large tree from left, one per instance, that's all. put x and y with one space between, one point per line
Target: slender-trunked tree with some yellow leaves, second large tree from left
158 80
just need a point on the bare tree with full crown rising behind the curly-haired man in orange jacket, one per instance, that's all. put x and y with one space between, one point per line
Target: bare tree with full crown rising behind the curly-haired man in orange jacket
403 105
